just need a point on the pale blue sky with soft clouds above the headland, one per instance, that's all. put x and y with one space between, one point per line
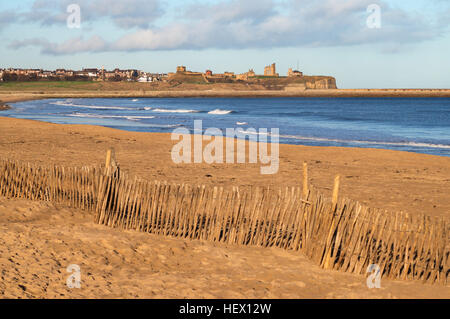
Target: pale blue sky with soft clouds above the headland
362 43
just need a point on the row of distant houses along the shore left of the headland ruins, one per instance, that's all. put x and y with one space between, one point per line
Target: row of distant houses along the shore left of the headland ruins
94 74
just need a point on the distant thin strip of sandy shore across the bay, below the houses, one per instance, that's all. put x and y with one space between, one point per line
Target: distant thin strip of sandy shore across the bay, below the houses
11 92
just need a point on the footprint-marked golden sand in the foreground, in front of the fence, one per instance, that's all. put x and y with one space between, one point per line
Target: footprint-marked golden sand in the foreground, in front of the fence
39 241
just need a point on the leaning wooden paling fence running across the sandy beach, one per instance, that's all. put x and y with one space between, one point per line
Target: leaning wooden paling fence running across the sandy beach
335 234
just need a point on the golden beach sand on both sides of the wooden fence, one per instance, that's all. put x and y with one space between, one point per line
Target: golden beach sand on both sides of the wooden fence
39 240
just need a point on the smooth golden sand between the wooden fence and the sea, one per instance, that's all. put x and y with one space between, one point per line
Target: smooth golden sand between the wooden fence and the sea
383 179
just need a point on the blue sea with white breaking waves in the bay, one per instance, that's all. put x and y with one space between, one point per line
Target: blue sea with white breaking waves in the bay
419 125
